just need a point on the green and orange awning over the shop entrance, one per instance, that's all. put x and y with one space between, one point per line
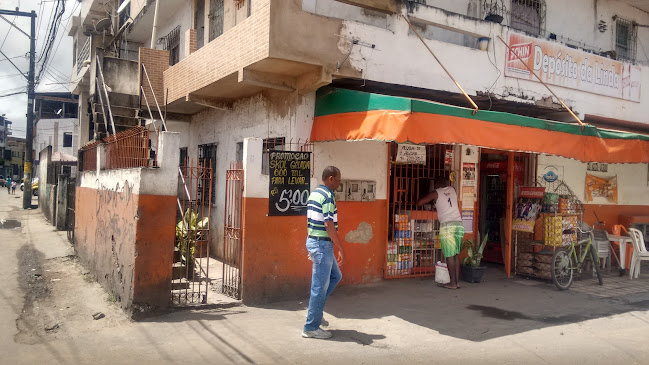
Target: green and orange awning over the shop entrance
348 115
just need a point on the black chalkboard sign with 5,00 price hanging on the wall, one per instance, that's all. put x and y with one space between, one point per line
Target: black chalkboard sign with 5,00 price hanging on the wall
290 182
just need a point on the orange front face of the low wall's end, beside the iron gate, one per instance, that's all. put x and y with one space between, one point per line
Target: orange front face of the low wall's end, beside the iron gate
154 245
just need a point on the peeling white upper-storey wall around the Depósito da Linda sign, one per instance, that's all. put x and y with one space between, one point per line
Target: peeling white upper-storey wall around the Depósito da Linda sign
400 58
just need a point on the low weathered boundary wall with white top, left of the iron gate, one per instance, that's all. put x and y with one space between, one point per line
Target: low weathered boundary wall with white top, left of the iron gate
125 226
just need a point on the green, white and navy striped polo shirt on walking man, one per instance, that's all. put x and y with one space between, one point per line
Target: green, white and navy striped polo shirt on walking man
321 207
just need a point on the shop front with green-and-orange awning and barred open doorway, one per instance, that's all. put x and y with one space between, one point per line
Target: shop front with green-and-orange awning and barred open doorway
487 156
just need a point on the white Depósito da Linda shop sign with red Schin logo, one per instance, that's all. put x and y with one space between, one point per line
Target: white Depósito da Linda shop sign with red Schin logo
563 66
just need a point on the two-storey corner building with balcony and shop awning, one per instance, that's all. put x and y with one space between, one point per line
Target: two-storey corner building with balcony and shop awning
357 83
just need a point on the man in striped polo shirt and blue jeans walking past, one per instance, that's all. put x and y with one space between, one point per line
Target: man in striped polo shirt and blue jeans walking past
322 228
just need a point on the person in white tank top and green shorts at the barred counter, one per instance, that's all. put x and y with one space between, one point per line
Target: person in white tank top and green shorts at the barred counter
451 231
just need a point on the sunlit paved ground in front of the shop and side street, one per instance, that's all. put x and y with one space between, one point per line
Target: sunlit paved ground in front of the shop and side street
402 321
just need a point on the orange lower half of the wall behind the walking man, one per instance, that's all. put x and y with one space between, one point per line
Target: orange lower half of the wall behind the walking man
275 263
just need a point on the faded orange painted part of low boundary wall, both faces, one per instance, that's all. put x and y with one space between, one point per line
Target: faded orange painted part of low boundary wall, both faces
126 240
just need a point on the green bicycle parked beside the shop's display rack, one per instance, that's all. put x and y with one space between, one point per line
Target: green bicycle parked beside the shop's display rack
566 260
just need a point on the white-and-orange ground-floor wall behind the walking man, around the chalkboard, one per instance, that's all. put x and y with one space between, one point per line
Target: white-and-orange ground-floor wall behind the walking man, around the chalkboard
274 257
